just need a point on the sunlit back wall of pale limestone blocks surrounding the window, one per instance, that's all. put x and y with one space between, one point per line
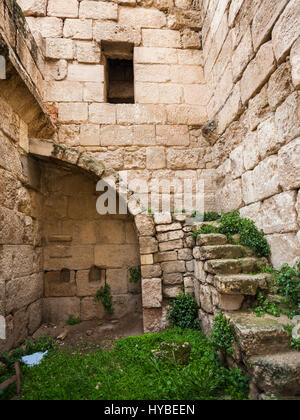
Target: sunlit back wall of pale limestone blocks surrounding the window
160 135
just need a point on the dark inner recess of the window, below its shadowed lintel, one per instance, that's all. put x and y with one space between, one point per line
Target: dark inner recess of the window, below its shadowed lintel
120 81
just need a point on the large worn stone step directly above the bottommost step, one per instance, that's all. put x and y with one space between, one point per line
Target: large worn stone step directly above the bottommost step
260 336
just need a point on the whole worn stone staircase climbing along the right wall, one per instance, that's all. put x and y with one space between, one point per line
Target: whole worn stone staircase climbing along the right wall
231 275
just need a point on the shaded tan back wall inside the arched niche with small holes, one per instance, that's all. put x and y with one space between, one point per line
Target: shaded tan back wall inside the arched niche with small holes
83 250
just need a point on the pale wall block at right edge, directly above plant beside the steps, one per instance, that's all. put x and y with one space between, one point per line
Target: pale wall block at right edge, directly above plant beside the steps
285 248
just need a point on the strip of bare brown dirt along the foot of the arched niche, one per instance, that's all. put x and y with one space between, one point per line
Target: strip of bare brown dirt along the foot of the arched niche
97 332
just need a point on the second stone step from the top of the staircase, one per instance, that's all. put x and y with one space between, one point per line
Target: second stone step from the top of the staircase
216 252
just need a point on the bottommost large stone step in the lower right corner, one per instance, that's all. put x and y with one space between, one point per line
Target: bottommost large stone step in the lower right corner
277 374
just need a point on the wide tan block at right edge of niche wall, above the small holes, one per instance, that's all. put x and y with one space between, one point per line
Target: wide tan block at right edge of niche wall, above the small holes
116 256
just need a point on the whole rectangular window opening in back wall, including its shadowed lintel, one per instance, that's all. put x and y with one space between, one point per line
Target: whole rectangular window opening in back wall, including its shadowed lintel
119 73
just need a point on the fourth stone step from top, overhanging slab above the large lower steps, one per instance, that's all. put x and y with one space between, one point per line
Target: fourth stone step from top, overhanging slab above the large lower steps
241 284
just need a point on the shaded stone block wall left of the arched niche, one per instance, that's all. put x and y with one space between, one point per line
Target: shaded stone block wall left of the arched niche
21 268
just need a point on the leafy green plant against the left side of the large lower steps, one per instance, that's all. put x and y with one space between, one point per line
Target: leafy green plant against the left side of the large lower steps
222 337
